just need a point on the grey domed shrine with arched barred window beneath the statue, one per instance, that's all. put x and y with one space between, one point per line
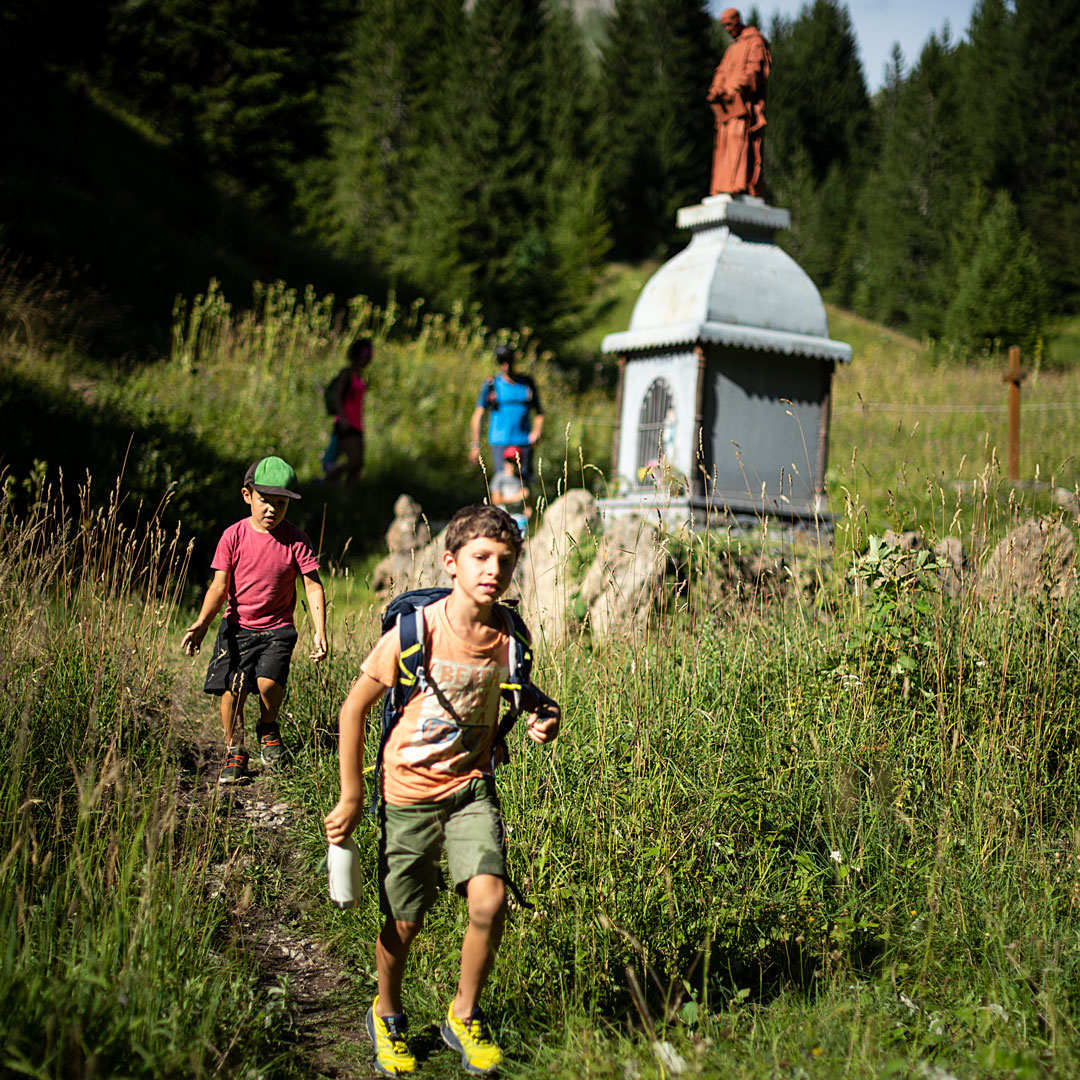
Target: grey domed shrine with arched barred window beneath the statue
725 376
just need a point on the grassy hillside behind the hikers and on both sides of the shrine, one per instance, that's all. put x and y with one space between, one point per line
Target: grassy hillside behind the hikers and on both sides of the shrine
913 436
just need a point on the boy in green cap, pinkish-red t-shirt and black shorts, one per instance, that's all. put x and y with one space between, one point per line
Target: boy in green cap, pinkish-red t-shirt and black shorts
255 569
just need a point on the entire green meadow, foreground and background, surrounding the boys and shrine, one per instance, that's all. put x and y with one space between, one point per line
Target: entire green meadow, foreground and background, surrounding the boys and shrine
819 825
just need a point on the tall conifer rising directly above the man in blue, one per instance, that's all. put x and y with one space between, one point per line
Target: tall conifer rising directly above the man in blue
482 210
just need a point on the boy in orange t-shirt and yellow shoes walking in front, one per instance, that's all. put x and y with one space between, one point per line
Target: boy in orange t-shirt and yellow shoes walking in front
439 785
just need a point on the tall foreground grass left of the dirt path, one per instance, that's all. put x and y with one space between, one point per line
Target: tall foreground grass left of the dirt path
114 962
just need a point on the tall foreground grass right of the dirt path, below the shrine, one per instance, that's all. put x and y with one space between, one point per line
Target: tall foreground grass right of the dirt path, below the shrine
788 831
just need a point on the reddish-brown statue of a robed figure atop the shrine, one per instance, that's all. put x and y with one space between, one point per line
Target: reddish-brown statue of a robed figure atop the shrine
738 98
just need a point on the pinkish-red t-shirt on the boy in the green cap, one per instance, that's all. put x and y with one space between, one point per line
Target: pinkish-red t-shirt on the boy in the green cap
263 569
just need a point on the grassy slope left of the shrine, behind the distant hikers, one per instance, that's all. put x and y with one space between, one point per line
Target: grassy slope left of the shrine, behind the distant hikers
245 379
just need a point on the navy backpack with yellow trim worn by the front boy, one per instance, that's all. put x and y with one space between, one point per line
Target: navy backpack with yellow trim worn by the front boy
406 612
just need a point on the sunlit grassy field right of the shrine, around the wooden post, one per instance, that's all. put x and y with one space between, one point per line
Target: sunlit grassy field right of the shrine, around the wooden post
912 434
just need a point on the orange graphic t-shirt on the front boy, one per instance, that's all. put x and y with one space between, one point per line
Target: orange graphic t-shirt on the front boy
444 737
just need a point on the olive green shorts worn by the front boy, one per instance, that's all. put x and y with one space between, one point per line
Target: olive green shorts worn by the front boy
467 823
